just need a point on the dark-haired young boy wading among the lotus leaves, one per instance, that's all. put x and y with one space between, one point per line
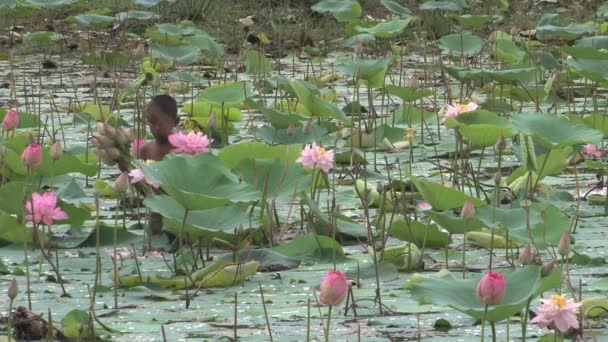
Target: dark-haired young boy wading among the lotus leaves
161 115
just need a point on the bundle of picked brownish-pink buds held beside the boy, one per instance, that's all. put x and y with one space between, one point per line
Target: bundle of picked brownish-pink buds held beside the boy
113 144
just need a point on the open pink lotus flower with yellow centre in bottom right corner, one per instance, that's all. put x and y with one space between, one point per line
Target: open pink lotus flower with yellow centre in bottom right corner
560 311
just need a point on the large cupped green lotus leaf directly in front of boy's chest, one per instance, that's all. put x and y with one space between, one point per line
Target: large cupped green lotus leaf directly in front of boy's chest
199 181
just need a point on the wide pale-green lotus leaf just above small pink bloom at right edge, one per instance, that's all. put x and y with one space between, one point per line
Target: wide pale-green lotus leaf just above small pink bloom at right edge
554 131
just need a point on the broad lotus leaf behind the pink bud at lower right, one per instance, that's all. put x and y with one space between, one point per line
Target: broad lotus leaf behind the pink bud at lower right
522 284
